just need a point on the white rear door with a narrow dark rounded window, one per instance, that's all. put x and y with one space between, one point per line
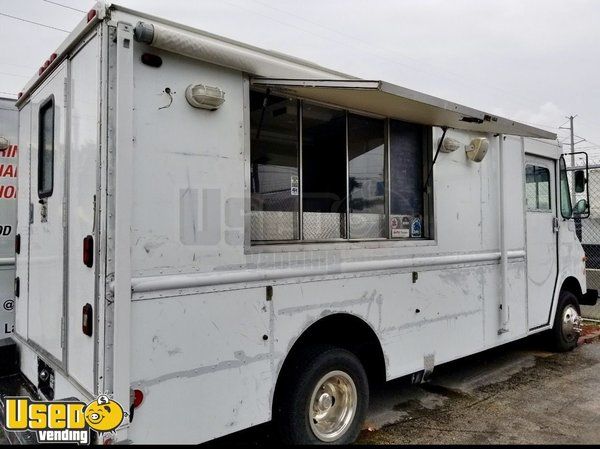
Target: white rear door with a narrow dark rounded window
47 219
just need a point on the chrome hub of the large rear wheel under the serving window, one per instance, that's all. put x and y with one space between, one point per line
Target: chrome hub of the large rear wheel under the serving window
332 406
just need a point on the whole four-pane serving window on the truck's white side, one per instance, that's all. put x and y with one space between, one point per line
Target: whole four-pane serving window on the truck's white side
319 173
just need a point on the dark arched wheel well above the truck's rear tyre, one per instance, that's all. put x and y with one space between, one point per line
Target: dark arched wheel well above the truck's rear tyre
348 332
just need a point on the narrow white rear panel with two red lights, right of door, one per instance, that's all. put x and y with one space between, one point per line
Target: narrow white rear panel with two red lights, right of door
83 160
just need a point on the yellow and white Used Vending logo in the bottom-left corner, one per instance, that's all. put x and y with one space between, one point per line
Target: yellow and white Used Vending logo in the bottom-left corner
63 421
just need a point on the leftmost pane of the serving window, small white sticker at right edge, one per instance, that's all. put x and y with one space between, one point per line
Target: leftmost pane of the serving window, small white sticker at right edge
274 175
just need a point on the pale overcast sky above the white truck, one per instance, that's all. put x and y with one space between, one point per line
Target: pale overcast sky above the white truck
535 61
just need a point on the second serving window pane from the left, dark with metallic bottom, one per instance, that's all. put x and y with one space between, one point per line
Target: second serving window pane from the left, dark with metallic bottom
323 173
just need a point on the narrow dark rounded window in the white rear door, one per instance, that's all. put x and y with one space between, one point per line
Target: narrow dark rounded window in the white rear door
46 149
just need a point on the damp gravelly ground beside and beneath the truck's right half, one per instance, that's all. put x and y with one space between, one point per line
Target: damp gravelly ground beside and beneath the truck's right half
511 395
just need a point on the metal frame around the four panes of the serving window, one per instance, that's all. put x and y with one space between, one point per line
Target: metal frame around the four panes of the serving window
428 219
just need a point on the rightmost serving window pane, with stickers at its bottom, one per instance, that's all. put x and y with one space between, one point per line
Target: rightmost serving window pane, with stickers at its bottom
407 144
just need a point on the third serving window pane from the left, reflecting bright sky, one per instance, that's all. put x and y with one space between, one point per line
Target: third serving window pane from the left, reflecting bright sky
366 164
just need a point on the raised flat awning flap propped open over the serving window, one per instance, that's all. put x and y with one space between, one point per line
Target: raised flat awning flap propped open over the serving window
381 98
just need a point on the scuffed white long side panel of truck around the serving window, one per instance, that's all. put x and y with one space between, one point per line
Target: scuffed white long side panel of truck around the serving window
188 220
